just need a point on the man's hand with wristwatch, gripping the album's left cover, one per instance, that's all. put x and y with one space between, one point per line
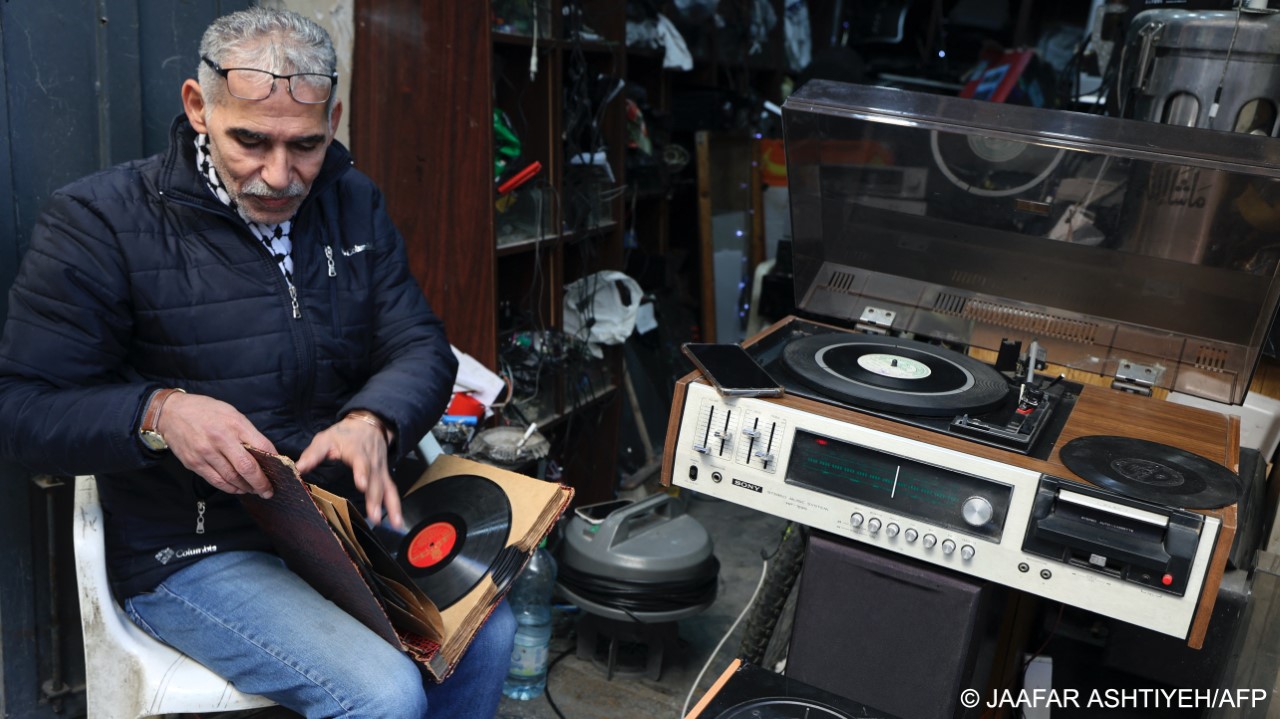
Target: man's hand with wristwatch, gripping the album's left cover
209 437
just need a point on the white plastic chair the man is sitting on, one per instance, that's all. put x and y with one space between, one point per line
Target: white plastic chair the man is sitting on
127 674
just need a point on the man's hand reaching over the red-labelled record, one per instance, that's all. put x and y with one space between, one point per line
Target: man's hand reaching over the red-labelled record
363 447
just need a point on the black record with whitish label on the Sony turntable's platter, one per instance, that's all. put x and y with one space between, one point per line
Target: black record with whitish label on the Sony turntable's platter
895 375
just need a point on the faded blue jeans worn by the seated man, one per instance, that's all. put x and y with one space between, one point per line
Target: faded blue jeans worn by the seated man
254 622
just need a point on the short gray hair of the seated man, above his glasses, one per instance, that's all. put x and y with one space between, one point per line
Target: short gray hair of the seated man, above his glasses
277 42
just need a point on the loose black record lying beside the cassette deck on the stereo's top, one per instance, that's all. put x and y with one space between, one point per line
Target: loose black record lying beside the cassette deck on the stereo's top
1151 471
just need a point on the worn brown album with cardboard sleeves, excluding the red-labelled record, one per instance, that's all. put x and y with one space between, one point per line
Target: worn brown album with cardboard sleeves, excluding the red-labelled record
324 539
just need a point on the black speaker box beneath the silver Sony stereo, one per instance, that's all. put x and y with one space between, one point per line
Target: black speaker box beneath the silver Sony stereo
893 633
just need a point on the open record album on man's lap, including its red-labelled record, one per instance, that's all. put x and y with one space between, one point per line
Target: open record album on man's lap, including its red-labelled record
470 529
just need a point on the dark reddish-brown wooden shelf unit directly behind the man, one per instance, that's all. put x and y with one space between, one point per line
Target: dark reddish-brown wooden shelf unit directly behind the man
428 81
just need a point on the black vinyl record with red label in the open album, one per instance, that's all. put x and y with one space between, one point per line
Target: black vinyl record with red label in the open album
458 528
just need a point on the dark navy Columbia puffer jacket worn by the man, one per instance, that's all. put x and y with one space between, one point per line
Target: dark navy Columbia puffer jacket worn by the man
139 278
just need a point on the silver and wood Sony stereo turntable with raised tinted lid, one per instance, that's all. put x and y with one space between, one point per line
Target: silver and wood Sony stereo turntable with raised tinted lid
979 378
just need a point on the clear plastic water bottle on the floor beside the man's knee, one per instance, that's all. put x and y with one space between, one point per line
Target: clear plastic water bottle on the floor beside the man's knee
531 601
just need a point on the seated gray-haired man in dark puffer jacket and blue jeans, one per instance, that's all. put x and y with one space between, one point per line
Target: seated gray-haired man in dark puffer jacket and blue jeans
245 288
